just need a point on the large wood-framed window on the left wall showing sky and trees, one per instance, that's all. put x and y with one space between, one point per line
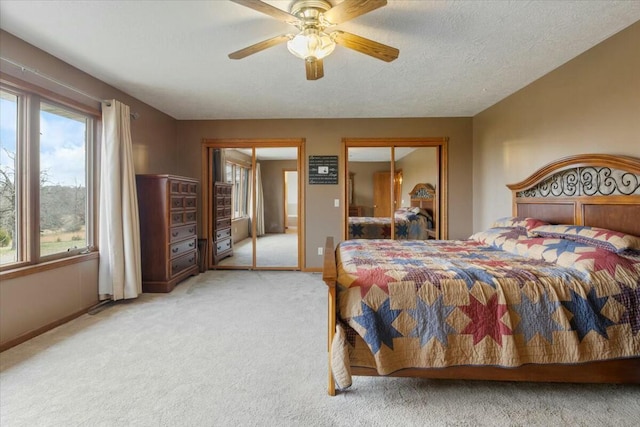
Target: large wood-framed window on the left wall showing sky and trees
46 178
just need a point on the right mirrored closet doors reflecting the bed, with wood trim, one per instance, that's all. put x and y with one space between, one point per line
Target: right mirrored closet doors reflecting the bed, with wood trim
396 188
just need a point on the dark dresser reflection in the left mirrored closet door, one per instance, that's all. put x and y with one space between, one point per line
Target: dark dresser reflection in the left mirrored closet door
222 245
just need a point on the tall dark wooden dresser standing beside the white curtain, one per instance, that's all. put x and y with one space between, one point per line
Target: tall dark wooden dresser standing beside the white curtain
168 230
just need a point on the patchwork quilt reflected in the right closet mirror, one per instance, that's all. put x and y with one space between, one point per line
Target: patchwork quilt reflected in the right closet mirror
409 223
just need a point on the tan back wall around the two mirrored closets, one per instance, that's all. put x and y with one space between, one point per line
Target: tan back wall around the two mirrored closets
323 137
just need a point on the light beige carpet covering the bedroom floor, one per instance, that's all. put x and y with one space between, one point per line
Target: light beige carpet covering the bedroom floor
248 348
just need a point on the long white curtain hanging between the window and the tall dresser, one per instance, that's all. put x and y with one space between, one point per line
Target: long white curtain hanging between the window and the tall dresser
120 272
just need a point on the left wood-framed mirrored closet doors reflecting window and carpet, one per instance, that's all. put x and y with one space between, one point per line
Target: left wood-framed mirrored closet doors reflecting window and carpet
267 195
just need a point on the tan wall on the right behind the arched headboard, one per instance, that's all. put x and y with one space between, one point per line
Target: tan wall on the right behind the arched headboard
589 105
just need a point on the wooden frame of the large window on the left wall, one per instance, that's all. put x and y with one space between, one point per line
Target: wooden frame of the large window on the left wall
27 177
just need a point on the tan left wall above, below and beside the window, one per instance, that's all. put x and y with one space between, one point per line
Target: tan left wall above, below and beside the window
31 302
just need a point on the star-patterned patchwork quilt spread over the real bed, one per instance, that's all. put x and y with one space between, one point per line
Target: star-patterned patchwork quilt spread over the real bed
501 298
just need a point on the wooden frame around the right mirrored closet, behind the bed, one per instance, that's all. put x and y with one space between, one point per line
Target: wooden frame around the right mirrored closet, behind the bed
442 200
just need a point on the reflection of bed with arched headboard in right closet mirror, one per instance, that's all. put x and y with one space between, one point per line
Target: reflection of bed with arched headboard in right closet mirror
414 222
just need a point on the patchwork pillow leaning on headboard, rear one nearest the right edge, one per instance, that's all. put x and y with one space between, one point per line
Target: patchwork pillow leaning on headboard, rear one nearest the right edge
613 241
